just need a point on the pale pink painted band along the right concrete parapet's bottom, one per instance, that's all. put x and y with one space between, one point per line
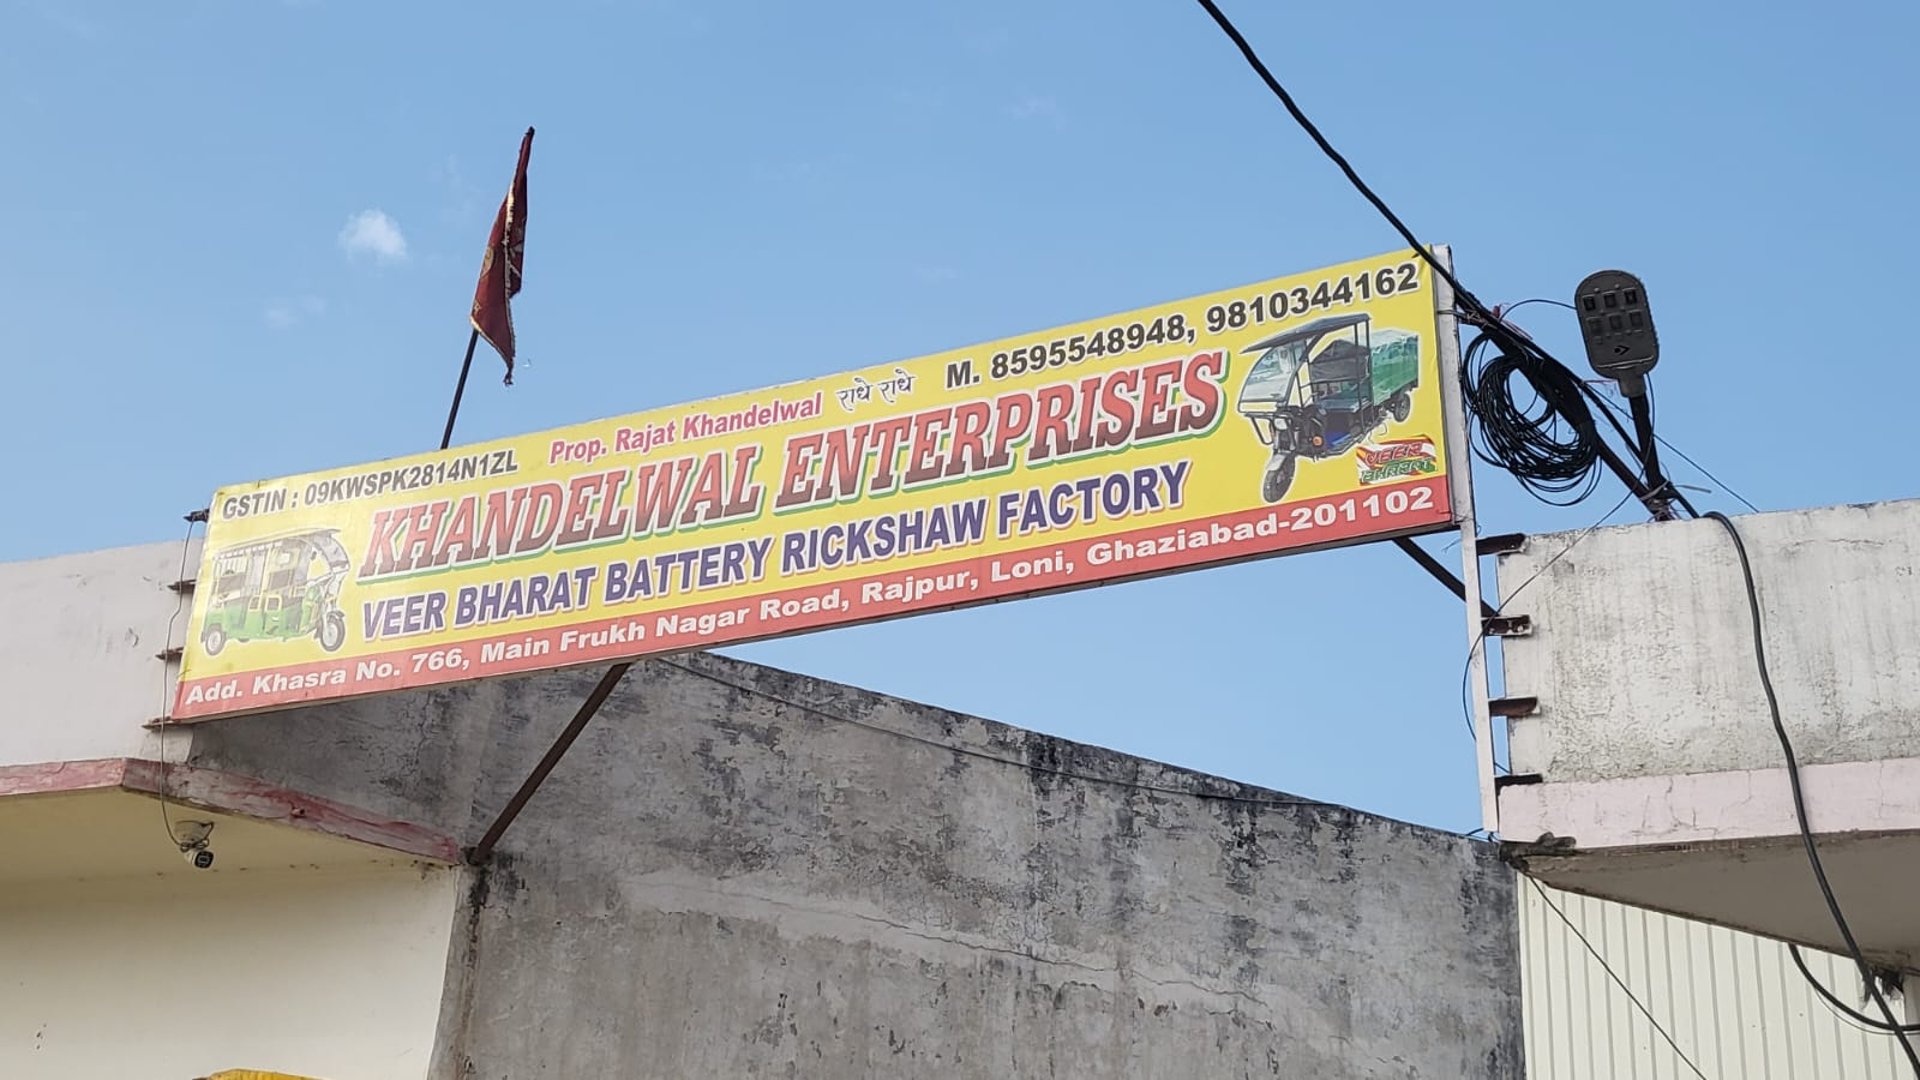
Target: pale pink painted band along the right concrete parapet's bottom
1652 812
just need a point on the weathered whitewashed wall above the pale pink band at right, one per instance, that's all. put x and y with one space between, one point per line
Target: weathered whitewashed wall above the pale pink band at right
1643 649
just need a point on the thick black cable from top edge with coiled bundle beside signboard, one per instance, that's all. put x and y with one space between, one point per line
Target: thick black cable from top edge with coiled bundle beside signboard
1548 376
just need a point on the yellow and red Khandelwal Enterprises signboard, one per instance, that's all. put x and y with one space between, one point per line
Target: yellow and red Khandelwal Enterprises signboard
1284 416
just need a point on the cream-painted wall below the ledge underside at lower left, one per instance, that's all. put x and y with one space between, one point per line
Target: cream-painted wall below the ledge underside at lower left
318 973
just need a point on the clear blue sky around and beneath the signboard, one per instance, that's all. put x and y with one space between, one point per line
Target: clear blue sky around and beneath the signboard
243 239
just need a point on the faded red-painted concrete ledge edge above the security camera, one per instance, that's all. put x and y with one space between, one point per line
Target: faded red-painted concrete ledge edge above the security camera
228 793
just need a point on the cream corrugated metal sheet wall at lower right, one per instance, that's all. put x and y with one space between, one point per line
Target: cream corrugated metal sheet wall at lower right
1733 1002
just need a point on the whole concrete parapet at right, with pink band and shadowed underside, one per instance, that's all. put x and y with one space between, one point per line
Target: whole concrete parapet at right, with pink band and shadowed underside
1664 779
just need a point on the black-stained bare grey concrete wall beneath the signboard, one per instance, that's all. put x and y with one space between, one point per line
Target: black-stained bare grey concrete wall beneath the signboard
802 879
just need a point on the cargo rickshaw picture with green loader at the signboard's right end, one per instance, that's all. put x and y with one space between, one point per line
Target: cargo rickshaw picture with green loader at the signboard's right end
1318 391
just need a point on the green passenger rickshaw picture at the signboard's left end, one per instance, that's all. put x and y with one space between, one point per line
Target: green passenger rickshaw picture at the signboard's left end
281 587
